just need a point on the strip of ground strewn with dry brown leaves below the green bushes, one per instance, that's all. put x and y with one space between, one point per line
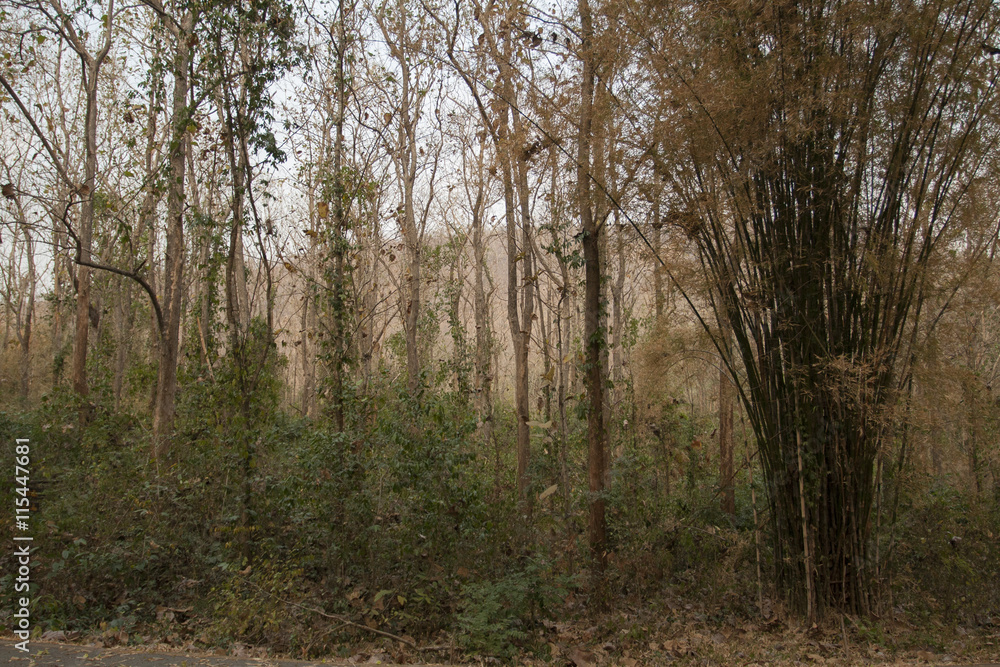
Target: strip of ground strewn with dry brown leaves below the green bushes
573 645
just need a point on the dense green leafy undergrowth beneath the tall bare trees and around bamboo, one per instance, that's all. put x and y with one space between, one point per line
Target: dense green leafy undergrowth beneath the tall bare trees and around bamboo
287 534
